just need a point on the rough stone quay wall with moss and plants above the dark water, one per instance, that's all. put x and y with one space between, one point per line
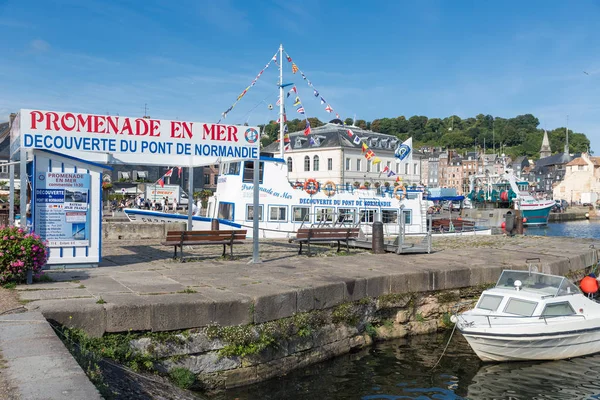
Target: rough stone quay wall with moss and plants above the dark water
236 356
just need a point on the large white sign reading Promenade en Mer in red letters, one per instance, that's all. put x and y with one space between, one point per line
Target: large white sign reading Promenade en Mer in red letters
137 140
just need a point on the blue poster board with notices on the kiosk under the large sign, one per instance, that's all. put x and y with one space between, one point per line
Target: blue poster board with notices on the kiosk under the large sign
62 208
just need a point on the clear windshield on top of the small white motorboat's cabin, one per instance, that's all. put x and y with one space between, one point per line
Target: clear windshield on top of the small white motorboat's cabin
546 285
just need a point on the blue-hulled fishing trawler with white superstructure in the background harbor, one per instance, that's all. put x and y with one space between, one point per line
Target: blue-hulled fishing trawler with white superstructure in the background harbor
506 190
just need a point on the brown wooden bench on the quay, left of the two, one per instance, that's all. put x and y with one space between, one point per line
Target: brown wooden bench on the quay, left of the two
189 238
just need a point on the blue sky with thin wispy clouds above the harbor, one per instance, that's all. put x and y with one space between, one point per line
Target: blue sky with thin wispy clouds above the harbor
189 60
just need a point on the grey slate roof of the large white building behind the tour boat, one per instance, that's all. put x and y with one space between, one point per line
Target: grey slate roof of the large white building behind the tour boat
334 135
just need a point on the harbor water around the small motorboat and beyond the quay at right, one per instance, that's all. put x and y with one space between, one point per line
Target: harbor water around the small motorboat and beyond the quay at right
409 368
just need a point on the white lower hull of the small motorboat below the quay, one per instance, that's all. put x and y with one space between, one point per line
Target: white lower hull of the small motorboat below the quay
556 346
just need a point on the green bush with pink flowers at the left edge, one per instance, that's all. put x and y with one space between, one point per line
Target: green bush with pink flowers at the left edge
19 253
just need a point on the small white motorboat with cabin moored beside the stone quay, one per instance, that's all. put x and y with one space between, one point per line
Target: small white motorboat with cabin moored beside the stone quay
532 316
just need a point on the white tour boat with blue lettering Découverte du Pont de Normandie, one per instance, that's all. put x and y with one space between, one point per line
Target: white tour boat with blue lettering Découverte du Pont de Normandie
284 207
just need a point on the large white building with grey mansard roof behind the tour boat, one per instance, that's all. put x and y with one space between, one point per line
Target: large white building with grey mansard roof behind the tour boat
329 153
